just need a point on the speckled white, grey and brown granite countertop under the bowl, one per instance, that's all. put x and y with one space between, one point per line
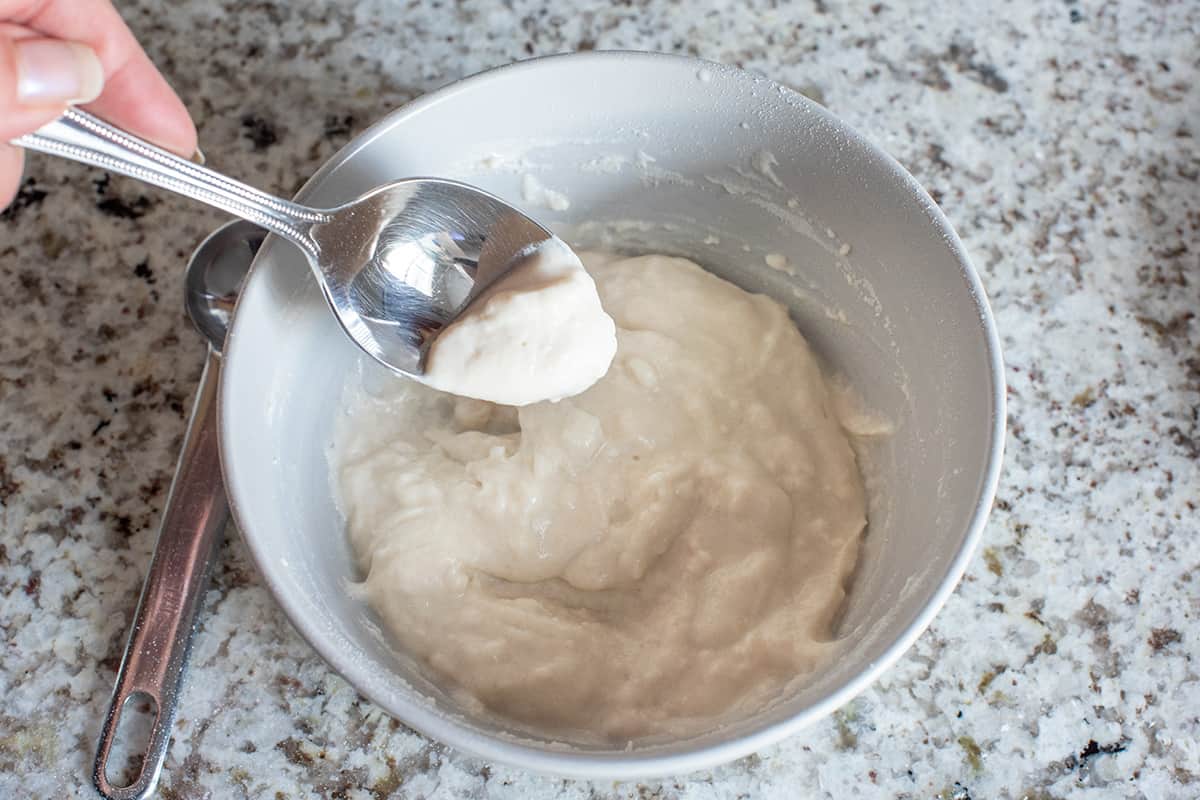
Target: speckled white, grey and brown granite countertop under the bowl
1061 137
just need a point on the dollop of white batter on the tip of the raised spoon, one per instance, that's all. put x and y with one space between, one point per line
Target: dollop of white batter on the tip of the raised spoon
538 334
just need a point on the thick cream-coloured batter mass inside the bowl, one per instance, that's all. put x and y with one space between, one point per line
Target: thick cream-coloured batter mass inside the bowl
655 557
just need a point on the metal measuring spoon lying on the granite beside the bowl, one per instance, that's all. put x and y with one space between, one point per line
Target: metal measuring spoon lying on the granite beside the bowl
196 514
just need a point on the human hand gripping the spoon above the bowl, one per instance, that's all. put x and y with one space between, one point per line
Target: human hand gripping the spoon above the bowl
55 53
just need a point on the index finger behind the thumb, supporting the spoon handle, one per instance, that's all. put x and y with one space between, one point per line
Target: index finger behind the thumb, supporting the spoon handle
136 95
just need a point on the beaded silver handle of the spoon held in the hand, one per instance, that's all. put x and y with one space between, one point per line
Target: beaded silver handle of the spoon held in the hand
82 137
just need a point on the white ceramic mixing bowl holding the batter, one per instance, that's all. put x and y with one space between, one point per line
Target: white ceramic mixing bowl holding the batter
656 154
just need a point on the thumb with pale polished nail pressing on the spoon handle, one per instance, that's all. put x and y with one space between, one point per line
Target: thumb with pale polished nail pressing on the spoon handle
40 77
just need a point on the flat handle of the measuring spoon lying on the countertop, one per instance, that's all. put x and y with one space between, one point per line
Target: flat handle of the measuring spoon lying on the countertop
165 622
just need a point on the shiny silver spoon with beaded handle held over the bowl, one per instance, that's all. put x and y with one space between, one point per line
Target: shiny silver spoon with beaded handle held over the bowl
397 266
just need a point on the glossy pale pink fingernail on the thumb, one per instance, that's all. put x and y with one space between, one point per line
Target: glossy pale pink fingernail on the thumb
50 70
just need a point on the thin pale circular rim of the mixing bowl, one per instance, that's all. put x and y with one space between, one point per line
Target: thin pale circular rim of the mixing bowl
433 724
